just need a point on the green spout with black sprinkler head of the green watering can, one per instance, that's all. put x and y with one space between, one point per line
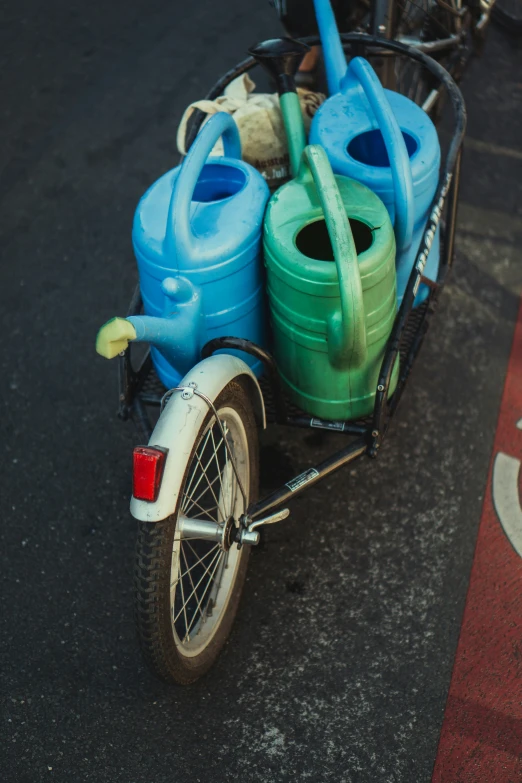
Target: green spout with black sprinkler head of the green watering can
281 57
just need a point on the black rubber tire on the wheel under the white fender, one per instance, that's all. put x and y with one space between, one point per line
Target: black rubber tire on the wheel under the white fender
153 570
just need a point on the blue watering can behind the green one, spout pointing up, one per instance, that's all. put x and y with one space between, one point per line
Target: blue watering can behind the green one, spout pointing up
382 139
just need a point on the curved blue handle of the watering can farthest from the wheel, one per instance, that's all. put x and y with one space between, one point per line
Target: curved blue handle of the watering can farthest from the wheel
395 147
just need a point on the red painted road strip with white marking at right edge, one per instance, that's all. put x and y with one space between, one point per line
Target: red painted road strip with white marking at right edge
481 738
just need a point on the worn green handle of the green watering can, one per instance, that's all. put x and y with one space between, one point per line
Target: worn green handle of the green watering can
347 329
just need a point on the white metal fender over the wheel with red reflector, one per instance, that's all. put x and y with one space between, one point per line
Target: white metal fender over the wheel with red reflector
179 424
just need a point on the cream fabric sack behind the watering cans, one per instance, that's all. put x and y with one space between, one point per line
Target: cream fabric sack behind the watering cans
258 118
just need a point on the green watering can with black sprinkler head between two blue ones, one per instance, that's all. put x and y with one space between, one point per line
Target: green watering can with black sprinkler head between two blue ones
329 251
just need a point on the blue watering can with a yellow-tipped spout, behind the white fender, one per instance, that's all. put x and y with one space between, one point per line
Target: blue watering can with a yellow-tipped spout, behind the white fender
197 241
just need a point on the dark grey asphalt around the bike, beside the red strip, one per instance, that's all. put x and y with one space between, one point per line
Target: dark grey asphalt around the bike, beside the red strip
339 664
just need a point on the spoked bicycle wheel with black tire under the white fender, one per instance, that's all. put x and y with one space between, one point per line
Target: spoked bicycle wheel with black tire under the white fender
188 586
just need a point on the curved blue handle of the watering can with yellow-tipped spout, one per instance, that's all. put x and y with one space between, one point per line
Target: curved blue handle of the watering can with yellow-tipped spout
179 239
